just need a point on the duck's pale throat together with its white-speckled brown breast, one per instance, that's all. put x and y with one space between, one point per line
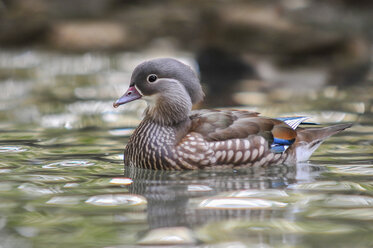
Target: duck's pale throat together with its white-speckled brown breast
152 145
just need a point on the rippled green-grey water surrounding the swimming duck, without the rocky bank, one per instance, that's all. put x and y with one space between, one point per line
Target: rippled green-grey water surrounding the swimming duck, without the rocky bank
62 181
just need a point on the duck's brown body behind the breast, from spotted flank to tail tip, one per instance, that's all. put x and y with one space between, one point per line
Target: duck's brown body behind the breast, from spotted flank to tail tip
241 138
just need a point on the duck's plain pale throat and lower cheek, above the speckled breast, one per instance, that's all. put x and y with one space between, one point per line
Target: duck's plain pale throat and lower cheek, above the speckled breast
169 108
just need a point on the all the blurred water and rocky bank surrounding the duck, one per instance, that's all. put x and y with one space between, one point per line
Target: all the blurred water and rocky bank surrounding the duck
64 62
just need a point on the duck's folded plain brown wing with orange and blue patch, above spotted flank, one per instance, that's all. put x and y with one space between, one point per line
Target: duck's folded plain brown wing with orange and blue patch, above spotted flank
221 125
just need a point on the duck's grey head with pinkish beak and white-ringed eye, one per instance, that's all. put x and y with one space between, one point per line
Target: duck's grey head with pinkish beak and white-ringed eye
169 86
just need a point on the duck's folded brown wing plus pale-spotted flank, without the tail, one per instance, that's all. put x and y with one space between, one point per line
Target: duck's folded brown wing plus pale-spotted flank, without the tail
231 138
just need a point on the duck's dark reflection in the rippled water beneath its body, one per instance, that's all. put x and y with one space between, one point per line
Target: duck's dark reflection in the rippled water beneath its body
194 198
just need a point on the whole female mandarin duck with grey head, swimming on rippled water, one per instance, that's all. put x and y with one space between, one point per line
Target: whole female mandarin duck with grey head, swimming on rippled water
173 137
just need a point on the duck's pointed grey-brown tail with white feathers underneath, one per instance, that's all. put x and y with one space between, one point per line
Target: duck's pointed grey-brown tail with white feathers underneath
309 139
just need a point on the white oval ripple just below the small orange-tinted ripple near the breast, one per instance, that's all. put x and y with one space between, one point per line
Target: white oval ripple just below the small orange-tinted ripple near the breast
117 200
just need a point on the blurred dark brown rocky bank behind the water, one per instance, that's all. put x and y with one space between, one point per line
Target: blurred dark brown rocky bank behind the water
237 45
